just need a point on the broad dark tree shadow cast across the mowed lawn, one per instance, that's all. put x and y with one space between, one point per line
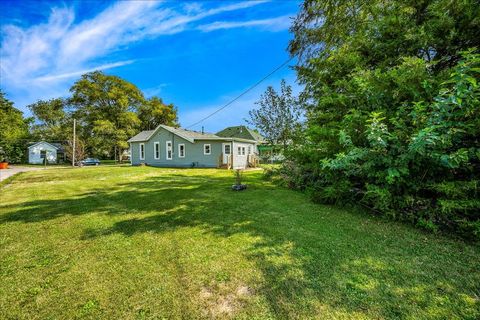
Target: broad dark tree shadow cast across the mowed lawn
314 260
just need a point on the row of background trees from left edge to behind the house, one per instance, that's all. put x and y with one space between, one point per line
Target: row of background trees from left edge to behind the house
108 109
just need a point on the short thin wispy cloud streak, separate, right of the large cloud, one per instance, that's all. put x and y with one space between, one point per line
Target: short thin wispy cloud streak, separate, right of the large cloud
274 24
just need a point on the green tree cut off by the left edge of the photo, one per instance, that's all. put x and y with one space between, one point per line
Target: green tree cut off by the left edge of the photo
13 131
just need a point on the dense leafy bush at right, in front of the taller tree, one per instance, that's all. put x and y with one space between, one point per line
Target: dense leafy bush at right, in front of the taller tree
420 164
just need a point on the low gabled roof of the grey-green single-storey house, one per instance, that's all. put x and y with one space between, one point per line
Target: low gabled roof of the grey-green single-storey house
188 135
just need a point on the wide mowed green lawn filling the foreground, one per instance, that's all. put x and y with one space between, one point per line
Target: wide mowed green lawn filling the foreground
141 243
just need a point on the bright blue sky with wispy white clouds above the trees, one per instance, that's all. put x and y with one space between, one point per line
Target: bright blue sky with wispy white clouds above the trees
197 55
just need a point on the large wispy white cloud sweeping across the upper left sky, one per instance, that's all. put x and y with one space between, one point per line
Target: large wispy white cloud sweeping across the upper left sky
63 48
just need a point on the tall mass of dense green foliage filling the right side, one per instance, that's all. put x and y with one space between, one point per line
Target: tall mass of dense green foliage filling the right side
393 108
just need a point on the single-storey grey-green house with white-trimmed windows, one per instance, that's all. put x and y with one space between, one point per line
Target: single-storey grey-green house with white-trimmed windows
175 147
